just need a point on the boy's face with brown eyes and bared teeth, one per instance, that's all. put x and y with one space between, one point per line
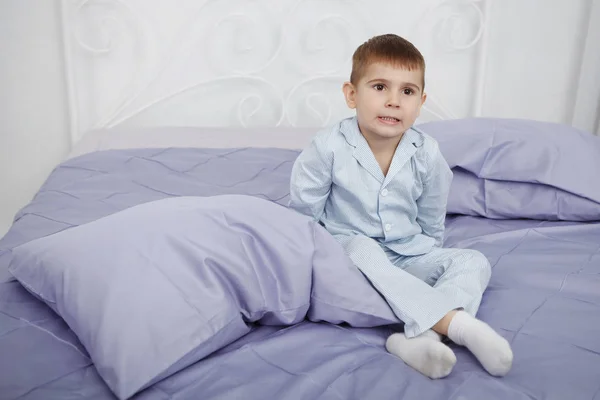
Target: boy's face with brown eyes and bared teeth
387 100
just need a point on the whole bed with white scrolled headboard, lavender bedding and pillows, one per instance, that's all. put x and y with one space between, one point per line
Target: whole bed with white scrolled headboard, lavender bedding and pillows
159 260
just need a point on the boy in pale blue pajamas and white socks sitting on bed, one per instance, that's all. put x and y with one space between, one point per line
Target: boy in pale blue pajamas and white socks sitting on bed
380 187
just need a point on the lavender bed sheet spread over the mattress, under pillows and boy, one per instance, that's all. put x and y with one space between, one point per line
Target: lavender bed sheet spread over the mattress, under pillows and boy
543 298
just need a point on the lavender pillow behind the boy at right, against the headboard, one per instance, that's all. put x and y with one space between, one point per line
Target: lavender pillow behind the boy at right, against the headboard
510 168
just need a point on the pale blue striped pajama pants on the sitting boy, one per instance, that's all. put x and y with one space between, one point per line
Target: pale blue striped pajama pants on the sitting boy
421 289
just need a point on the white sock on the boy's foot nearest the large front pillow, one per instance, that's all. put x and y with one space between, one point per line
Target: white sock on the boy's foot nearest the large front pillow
425 353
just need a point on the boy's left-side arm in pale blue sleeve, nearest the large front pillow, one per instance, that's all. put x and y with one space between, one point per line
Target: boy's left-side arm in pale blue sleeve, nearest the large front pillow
311 180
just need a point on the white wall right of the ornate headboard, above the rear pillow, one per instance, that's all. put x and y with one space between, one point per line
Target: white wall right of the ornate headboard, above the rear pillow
534 69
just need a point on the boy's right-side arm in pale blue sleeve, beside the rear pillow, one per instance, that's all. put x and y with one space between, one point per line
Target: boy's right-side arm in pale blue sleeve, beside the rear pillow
433 201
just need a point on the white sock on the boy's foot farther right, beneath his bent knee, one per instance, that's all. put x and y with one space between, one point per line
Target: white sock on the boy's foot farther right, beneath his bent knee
491 349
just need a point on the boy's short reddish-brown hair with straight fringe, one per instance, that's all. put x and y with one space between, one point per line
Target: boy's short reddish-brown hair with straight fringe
389 48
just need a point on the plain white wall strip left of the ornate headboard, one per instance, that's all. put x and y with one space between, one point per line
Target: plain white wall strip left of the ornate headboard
33 137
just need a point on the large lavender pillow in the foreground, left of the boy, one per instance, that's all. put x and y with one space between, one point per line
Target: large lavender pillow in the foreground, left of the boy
159 286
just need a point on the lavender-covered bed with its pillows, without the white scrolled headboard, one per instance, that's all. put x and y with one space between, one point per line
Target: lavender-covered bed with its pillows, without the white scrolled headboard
86 250
